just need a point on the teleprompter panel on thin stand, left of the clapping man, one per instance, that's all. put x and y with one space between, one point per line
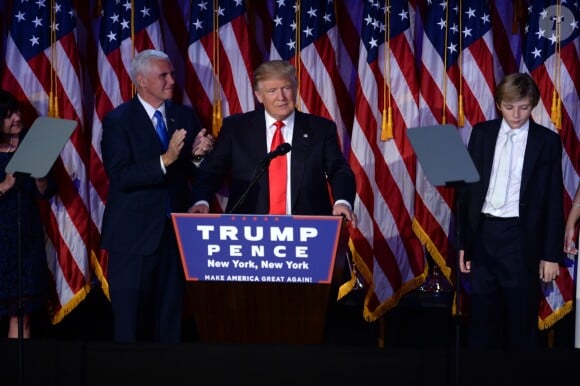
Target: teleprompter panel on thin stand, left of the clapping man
34 157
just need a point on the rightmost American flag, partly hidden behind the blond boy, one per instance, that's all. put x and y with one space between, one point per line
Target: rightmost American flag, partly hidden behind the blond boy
551 57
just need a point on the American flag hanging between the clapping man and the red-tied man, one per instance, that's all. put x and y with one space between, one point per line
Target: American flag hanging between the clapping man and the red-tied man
220 62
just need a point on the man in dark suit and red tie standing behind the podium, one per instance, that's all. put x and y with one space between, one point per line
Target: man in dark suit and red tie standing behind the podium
312 178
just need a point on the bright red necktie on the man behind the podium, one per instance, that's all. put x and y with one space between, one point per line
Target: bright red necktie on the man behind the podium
277 174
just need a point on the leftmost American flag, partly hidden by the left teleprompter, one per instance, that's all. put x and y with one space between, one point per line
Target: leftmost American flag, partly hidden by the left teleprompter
43 71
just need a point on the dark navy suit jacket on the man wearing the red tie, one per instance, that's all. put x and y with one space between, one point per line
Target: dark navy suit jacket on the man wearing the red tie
315 159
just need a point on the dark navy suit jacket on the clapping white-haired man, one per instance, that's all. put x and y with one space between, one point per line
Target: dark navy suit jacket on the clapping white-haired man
139 192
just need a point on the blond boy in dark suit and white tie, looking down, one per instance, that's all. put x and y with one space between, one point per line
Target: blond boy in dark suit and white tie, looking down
511 220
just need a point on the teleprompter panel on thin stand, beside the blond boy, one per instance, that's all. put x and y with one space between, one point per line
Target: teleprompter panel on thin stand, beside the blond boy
446 162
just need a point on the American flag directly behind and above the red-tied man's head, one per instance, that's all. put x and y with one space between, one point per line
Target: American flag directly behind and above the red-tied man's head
305 33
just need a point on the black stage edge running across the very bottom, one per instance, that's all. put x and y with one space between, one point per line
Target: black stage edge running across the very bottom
96 363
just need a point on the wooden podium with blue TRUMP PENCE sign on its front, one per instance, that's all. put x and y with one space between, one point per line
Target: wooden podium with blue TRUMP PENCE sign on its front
259 311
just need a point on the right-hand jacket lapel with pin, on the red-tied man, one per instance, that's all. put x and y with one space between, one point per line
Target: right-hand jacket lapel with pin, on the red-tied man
301 139
